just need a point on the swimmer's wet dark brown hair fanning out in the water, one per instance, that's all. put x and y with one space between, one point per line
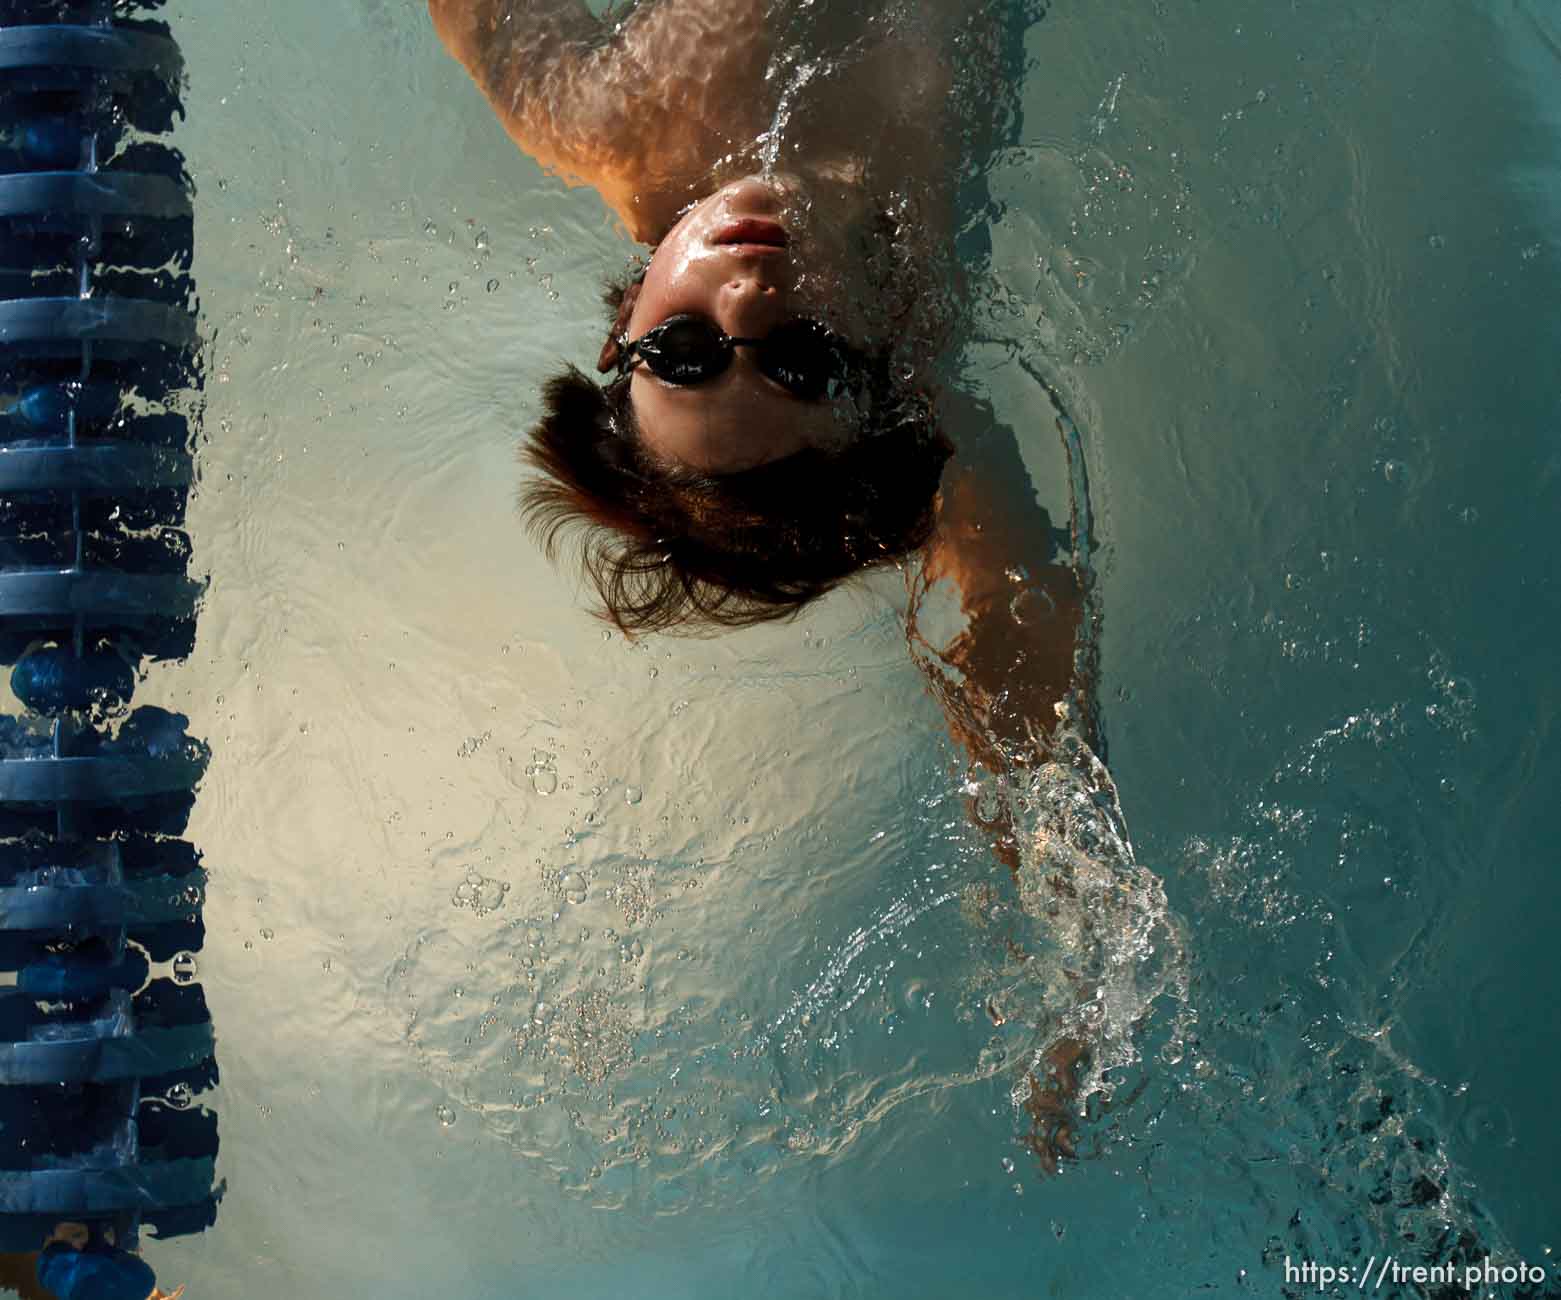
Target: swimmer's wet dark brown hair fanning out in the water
677 550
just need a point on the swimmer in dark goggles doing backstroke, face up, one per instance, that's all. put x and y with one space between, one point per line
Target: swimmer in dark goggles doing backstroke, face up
769 422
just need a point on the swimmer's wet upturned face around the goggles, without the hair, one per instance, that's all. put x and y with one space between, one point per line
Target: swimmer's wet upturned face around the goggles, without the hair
738 260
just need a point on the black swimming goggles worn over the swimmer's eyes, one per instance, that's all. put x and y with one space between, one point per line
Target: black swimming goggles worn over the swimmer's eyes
803 357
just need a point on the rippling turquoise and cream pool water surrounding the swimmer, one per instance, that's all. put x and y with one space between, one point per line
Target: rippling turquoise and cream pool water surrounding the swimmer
550 965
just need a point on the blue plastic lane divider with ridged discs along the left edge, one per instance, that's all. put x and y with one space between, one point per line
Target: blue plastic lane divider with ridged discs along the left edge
105 1039
